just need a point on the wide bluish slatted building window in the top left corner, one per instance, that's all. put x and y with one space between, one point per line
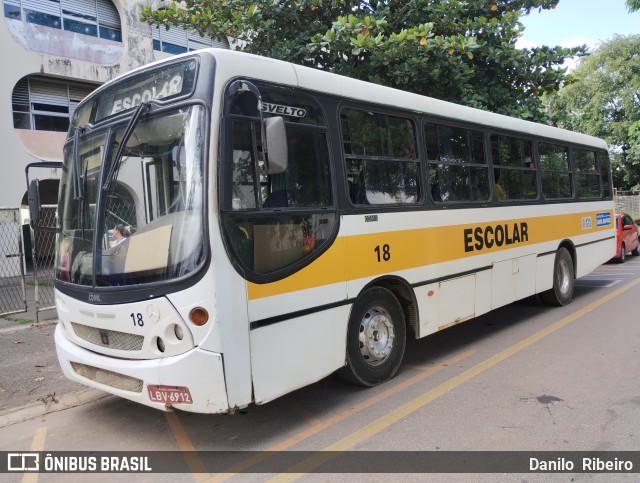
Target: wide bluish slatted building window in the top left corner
96 18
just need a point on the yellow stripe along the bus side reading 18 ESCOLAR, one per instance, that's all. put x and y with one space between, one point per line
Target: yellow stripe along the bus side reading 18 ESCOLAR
359 256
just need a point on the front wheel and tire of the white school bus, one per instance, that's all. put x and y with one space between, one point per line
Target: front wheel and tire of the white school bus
376 338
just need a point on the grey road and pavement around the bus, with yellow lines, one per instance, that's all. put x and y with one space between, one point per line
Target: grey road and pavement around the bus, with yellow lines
522 378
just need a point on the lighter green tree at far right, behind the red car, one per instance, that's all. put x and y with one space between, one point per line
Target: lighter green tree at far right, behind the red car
605 102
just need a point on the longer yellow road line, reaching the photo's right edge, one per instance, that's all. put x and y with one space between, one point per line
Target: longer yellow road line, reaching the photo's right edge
397 414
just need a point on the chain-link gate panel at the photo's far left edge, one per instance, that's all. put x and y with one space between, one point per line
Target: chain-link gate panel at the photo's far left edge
12 289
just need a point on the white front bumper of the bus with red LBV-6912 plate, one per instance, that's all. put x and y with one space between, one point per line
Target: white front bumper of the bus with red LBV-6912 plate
193 381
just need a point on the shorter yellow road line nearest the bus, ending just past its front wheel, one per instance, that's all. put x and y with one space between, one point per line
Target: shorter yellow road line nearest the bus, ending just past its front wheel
327 423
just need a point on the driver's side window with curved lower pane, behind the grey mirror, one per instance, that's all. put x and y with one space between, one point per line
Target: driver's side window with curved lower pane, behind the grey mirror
269 237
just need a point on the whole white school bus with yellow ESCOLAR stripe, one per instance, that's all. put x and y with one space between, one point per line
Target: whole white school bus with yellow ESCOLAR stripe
232 227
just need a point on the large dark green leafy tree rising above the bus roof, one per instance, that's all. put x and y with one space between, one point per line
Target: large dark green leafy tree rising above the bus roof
460 51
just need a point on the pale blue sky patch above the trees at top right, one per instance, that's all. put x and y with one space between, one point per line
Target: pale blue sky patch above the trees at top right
577 22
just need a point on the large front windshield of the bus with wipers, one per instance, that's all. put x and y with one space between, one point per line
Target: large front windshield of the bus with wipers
137 218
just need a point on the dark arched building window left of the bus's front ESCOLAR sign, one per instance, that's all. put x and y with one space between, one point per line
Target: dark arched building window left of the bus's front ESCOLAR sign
44 104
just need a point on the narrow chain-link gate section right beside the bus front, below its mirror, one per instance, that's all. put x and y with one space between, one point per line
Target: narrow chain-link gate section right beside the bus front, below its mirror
43 261
